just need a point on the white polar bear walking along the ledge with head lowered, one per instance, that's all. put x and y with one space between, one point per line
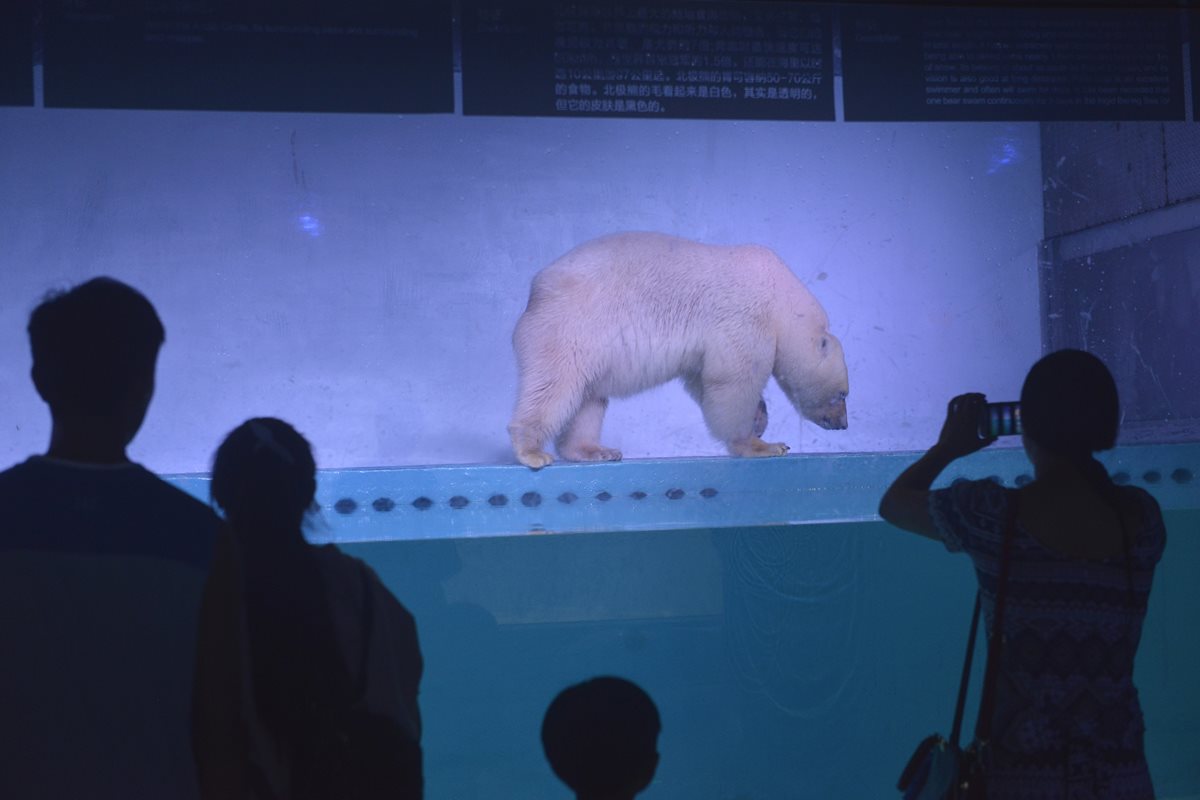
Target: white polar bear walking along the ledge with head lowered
627 312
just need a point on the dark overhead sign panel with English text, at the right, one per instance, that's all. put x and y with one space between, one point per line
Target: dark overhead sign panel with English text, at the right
1012 64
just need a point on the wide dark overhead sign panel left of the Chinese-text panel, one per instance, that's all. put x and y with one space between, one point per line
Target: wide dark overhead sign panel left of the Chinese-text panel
268 56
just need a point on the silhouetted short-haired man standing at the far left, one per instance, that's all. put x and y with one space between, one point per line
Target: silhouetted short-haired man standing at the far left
101 570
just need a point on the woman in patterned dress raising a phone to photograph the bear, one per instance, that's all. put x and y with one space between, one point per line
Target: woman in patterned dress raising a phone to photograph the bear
1066 719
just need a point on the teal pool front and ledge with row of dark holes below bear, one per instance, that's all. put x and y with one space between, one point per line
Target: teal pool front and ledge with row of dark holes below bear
796 646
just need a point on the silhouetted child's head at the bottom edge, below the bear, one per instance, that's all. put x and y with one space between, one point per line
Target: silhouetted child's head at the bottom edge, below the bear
601 738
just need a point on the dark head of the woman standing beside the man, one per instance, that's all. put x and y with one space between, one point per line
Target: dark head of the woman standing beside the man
265 477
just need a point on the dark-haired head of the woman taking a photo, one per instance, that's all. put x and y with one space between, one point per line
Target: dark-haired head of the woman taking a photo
1070 405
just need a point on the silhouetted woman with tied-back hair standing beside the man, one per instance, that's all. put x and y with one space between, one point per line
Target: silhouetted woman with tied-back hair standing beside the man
292 635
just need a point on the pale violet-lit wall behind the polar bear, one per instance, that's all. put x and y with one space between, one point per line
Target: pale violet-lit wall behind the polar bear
361 275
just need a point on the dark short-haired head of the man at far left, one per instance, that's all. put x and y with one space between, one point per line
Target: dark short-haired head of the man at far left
94 354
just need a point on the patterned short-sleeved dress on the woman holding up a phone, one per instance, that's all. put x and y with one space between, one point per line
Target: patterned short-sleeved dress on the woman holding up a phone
1067 720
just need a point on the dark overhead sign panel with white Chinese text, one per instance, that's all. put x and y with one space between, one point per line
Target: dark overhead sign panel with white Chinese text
681 61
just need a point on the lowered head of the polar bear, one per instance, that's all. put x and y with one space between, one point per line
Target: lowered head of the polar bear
818 383
